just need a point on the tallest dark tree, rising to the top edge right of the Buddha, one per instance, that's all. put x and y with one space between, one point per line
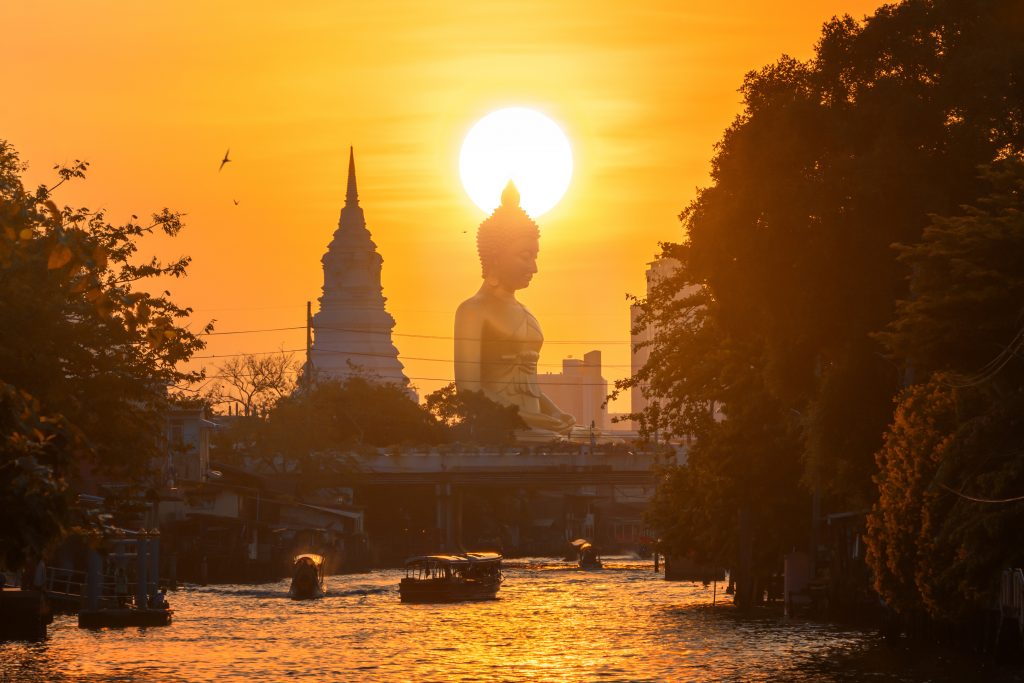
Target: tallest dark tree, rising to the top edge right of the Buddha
789 250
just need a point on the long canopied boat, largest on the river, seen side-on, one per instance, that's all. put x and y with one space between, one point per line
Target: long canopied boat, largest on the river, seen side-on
452 578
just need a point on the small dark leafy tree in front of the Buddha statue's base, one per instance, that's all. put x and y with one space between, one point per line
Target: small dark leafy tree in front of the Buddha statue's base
473 418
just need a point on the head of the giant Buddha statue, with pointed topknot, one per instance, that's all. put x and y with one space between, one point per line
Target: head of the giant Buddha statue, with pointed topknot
508 243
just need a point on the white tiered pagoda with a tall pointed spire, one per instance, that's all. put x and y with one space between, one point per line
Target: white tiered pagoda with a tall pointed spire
352 331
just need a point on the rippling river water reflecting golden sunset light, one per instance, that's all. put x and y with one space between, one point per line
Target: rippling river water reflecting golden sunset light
551 623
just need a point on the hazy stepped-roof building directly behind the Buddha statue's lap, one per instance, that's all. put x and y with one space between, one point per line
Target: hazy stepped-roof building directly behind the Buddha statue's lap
580 390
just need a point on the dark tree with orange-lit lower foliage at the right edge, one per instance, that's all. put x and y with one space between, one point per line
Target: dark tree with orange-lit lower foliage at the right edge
938 537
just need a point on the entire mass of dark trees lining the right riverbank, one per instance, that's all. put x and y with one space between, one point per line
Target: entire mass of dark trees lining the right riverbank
837 334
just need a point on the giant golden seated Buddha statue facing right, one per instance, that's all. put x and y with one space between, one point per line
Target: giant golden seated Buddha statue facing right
497 340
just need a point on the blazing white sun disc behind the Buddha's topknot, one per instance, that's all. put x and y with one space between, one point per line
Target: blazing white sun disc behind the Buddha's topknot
522 146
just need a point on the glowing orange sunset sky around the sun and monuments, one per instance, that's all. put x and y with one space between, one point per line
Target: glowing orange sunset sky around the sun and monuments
152 95
